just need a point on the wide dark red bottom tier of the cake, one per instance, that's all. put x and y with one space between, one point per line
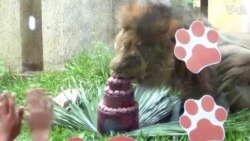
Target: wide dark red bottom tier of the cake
119 121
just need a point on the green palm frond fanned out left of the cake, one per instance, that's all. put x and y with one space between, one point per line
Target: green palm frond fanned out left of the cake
82 114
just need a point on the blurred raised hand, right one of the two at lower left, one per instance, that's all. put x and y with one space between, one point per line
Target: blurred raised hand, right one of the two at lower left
40 114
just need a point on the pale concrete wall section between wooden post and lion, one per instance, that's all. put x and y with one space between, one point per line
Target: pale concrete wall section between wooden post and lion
70 26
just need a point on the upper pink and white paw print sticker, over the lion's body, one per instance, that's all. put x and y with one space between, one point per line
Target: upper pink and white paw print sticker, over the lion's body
197 47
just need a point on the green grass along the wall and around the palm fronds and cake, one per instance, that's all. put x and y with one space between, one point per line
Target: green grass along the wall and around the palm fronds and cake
90 69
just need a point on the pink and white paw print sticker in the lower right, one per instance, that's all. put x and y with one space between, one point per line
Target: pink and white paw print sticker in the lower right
203 120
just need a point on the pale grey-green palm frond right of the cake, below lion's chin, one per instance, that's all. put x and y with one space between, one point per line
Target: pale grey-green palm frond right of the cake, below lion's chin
154 104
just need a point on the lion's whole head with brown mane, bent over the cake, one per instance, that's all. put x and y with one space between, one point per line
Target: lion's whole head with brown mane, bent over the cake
144 46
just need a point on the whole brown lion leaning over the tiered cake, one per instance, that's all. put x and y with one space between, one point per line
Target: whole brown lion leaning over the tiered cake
144 52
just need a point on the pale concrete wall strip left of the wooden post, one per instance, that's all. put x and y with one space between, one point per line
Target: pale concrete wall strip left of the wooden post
10 49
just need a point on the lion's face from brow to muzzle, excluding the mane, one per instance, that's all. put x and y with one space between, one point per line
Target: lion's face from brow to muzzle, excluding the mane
128 60
